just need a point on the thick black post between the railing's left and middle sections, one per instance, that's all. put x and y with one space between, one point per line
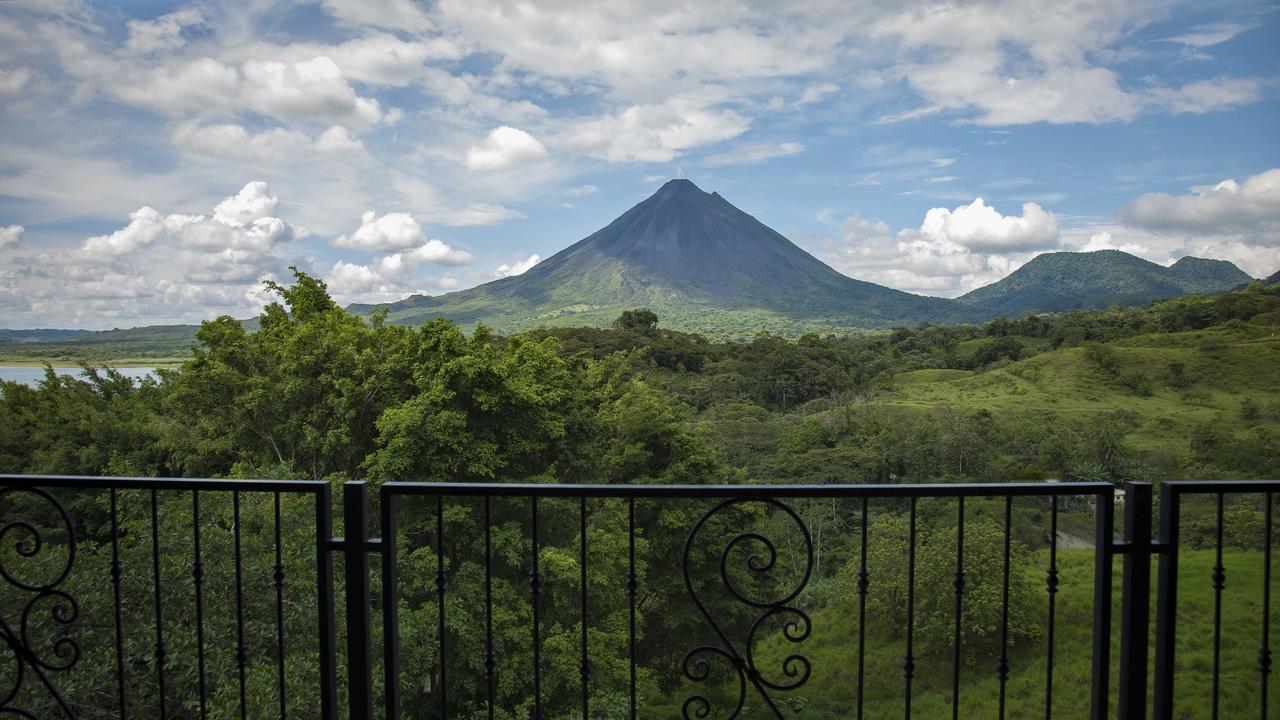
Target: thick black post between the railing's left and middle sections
355 548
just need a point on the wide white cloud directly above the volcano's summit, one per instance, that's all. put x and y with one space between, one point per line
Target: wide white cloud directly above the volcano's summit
653 134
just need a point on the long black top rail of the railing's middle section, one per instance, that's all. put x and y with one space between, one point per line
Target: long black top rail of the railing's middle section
936 490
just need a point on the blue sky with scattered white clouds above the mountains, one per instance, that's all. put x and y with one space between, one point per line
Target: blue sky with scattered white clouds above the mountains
158 162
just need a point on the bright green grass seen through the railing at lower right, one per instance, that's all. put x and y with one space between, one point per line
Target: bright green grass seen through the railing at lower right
833 650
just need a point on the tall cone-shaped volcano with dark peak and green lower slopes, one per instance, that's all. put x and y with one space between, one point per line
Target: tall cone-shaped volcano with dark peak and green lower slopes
697 261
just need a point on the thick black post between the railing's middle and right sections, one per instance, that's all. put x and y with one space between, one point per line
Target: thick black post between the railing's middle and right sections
1135 603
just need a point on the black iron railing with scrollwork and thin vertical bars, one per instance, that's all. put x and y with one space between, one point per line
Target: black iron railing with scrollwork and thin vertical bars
39 619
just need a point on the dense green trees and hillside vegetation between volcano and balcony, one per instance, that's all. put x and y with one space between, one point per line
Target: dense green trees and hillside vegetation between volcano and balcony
1182 389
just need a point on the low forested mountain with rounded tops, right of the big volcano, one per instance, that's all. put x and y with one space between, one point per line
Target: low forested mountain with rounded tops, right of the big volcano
1071 281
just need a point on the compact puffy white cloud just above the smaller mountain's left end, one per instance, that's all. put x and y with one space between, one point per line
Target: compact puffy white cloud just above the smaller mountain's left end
981 229
